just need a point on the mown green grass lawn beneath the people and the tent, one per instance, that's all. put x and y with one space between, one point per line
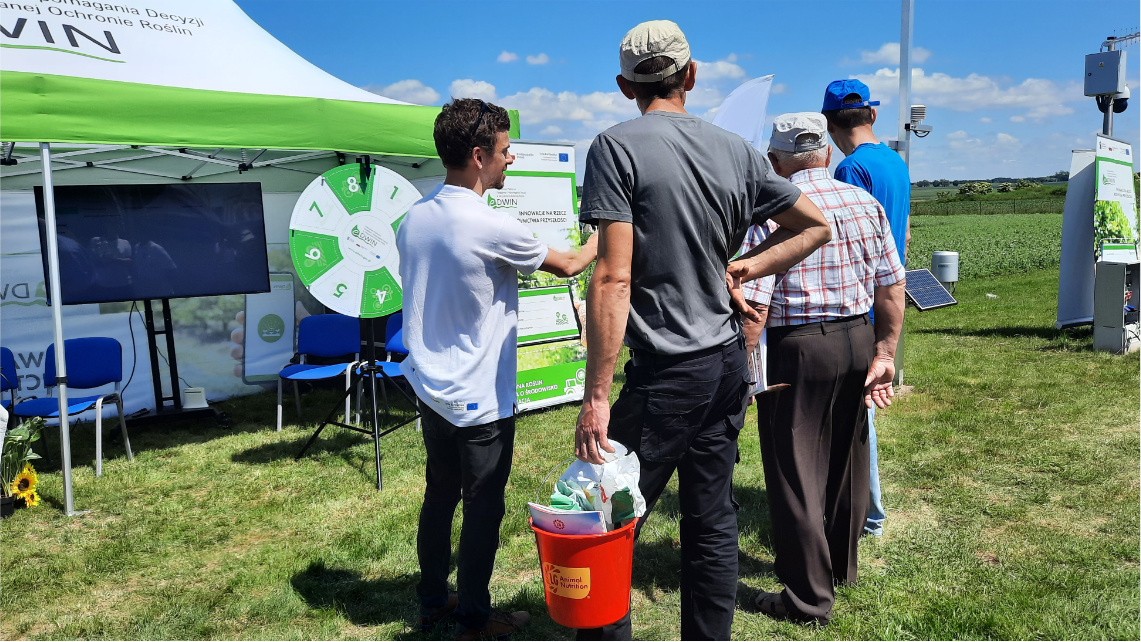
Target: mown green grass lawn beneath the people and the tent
1010 477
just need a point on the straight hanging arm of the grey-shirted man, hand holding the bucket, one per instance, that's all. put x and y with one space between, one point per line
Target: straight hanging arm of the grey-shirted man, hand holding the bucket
608 312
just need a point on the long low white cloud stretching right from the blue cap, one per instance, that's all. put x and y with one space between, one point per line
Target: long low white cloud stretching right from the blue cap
1043 99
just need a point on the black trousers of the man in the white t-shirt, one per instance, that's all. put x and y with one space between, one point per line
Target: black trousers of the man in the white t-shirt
472 464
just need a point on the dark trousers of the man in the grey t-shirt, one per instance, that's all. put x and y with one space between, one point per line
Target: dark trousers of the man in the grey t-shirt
684 415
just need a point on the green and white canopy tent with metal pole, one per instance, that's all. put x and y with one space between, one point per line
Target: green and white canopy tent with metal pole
179 91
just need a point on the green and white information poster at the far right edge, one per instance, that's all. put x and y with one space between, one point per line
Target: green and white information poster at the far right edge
1115 215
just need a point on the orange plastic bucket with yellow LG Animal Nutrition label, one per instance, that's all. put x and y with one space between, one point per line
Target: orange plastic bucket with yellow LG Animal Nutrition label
587 578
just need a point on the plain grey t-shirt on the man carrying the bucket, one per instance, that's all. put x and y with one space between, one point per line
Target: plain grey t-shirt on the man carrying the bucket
691 190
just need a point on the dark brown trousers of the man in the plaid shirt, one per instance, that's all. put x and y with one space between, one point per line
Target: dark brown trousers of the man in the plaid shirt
815 450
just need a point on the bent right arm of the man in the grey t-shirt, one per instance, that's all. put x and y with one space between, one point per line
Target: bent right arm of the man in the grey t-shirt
803 231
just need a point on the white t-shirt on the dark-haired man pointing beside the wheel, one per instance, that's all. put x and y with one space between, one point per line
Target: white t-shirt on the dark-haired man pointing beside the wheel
460 263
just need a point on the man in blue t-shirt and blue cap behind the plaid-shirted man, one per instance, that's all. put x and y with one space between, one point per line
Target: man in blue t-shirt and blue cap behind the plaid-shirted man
878 169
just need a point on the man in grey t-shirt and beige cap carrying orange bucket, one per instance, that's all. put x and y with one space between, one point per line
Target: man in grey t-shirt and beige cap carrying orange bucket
674 198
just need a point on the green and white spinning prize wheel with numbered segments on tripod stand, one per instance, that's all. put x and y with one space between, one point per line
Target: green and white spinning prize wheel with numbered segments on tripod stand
343 239
